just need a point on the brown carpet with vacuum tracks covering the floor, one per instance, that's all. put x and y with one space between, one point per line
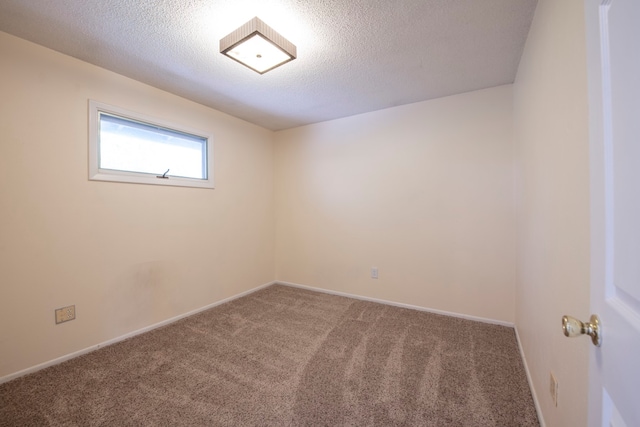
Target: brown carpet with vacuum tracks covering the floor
288 357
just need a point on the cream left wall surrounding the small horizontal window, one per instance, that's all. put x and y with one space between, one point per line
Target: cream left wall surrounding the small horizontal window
126 255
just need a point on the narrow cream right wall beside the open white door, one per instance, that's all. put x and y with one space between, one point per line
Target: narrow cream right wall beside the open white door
551 127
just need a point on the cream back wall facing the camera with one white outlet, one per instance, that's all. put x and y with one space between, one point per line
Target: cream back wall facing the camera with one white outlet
424 192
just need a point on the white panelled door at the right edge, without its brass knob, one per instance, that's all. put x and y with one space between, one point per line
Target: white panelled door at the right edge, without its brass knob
613 47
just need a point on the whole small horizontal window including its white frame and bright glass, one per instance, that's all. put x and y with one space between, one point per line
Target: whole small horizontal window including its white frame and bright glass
128 147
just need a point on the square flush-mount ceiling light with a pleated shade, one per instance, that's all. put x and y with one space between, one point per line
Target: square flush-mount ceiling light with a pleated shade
258 46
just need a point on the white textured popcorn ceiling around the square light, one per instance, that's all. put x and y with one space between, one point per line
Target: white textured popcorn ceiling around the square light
354 56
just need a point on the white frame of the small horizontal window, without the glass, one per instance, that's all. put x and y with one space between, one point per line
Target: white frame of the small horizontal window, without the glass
98 174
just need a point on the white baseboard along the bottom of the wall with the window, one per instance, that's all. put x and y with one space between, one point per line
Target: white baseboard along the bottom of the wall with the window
126 336
